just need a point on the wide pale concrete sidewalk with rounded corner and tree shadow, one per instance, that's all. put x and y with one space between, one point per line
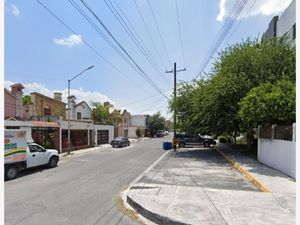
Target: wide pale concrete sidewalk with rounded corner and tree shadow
198 186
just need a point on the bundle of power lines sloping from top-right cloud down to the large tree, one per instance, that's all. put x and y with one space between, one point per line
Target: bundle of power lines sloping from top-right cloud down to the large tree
237 9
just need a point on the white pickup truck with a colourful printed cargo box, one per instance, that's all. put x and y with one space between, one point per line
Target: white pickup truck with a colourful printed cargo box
18 154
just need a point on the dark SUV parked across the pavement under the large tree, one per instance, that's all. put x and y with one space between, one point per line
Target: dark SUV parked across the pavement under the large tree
194 140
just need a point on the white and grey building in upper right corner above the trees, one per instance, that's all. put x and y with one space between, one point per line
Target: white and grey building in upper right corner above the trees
283 25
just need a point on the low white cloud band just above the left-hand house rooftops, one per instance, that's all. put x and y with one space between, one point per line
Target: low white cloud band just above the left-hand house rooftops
80 94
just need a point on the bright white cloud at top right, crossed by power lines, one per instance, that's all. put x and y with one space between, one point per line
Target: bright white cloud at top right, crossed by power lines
261 7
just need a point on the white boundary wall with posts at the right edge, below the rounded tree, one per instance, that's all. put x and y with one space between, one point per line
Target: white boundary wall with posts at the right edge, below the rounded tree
278 154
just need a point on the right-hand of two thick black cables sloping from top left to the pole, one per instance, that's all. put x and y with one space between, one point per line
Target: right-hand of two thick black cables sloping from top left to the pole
142 73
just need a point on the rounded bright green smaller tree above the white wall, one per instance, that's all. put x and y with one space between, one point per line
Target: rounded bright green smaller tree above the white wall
269 104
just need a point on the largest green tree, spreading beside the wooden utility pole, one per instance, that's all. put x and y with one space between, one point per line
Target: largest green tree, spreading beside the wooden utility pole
211 106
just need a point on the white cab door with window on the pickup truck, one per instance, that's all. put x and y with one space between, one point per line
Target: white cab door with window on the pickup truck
37 156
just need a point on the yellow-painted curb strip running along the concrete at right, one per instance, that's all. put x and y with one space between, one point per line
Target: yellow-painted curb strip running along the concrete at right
247 174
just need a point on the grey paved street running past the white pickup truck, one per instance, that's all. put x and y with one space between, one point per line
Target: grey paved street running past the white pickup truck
81 190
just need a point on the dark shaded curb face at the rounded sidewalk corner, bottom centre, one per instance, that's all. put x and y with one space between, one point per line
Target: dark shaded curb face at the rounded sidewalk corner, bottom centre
154 217
